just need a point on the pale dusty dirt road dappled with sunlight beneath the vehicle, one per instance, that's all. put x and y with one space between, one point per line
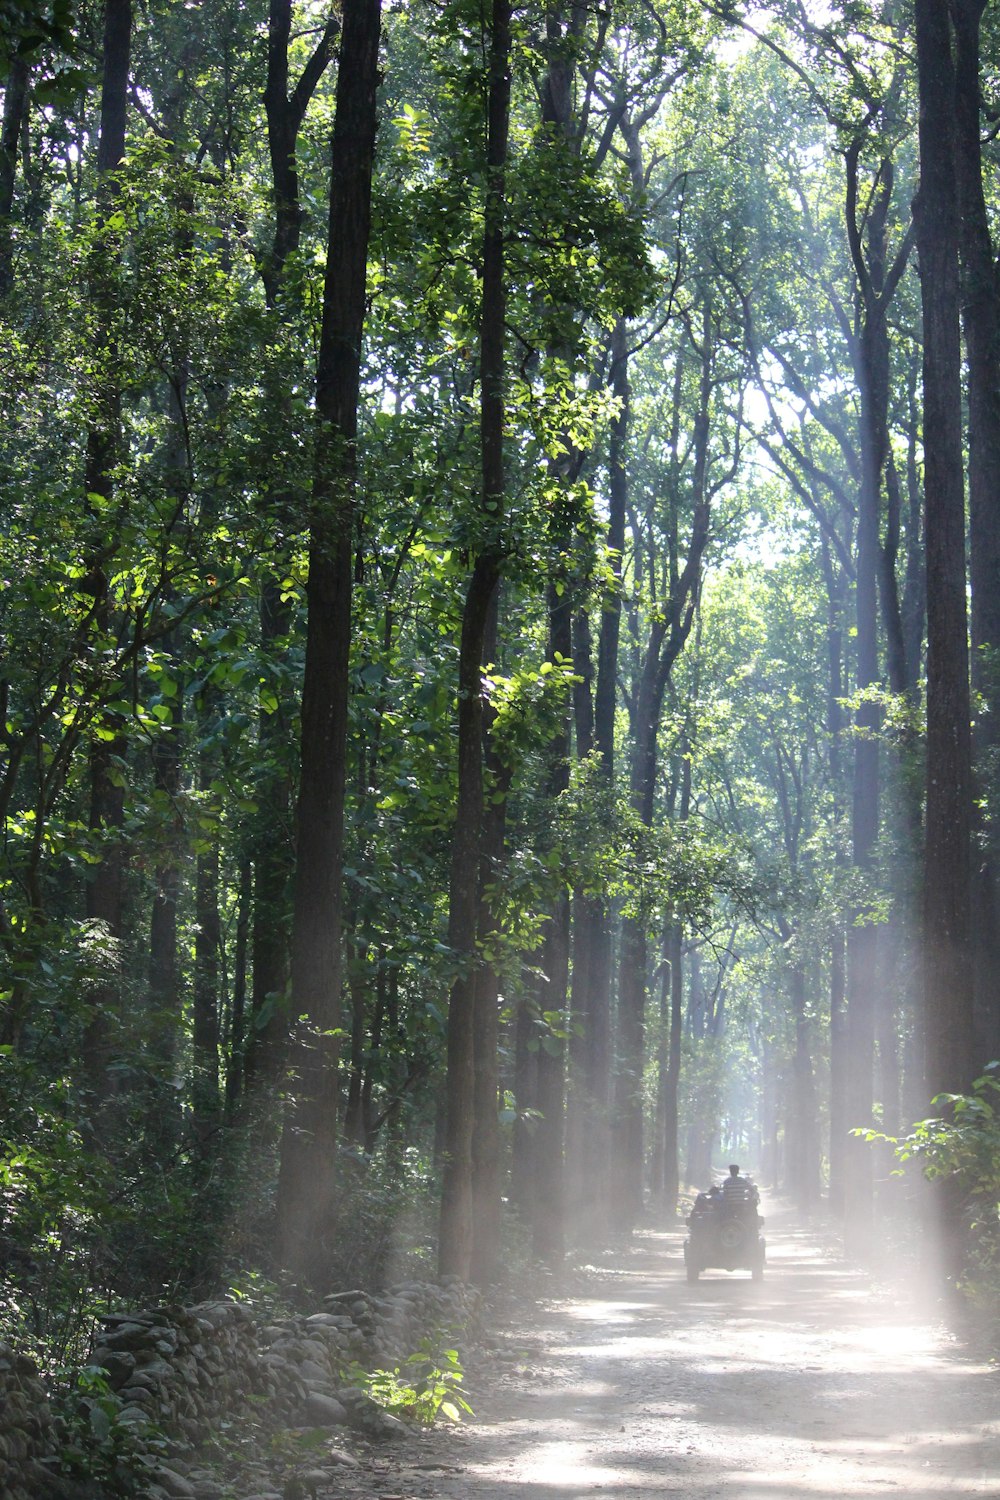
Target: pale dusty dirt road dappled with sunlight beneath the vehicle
813 1385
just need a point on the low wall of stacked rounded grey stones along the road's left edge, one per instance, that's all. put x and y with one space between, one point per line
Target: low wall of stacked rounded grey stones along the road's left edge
178 1373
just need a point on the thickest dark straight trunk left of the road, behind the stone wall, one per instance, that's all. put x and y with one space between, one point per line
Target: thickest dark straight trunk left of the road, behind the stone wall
307 1192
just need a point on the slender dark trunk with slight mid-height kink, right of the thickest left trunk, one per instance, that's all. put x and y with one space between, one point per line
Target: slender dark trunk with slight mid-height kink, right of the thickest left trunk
457 1238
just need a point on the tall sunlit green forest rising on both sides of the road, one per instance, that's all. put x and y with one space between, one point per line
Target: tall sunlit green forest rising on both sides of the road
501 634
